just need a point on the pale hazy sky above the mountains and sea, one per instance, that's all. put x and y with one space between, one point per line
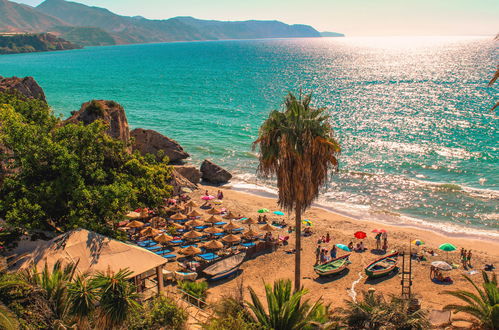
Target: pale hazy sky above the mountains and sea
353 17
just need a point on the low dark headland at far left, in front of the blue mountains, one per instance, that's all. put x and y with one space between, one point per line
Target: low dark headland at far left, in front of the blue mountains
28 43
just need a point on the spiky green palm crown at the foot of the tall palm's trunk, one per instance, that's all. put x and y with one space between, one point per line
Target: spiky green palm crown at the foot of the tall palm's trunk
286 311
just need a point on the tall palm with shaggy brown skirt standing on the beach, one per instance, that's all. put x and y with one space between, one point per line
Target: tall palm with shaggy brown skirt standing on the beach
297 146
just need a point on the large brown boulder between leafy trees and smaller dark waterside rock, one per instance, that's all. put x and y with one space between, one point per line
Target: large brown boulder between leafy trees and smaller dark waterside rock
147 141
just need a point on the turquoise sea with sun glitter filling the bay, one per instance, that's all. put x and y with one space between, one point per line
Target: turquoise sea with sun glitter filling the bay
411 113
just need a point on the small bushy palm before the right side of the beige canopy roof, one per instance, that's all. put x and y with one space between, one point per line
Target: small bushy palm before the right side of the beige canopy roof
117 298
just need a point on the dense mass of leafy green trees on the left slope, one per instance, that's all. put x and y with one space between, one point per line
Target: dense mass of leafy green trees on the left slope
70 176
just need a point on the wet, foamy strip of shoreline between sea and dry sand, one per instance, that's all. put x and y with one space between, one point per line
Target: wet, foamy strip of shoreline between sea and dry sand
446 229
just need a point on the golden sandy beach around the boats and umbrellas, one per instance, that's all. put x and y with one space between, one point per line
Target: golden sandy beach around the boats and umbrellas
336 290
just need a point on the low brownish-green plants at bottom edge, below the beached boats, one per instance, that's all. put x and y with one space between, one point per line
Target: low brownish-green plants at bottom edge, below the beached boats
374 312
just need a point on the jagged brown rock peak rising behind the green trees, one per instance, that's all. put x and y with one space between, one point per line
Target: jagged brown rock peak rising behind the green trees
110 112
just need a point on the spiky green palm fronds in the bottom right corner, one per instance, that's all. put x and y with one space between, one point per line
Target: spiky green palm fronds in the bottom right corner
483 305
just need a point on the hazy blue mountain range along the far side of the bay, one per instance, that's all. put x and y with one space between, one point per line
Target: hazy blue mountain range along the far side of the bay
86 25
